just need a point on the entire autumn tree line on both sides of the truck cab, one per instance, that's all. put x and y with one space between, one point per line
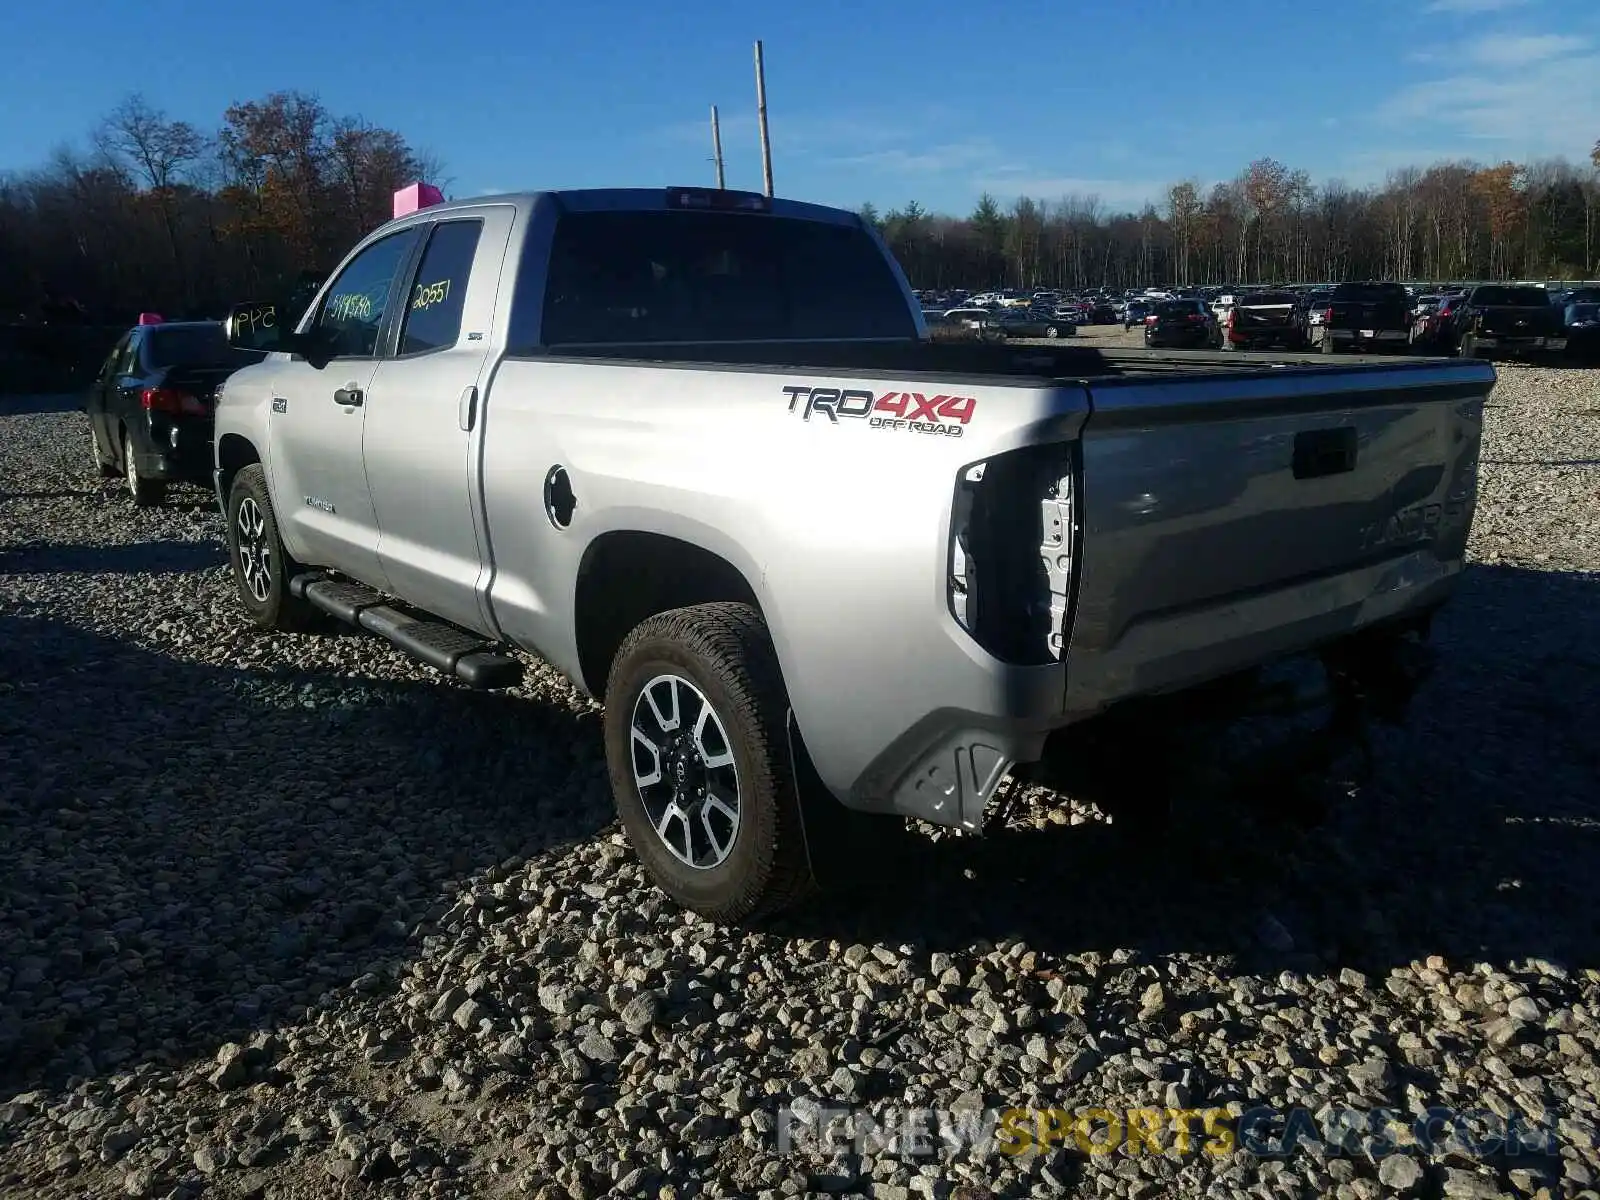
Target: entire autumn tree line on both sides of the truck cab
159 214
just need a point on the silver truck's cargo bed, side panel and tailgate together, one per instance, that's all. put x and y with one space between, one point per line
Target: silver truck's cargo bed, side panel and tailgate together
1228 510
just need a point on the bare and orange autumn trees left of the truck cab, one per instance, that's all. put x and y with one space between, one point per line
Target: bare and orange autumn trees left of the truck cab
156 214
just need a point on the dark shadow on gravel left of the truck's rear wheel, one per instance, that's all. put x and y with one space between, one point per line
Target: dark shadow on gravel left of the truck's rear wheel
194 852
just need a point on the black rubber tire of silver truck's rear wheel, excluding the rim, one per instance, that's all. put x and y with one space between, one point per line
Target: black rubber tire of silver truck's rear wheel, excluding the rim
727 654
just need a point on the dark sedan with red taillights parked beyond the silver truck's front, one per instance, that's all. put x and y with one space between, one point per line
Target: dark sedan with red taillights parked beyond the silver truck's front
153 406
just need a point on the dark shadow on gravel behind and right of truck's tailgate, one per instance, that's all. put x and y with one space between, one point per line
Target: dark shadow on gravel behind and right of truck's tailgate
1478 839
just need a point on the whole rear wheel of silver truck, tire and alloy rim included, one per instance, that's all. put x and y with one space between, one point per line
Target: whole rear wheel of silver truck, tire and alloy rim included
698 753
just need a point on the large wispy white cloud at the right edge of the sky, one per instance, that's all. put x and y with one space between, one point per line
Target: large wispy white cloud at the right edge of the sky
1530 95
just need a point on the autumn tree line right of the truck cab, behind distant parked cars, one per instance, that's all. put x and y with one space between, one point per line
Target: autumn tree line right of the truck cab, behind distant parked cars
1450 222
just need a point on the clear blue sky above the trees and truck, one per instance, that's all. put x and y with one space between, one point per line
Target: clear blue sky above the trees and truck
870 102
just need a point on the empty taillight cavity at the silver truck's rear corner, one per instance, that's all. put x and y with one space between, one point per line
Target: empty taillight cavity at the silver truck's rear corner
1014 550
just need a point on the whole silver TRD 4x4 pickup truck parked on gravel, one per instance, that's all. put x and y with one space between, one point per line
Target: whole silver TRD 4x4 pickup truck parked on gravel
697 450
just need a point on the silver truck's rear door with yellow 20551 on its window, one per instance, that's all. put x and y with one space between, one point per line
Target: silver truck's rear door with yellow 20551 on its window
422 438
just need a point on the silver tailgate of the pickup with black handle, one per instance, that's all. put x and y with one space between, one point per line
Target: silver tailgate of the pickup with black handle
1233 519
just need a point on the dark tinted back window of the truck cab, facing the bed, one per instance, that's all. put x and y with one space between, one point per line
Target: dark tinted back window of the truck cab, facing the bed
702 278
